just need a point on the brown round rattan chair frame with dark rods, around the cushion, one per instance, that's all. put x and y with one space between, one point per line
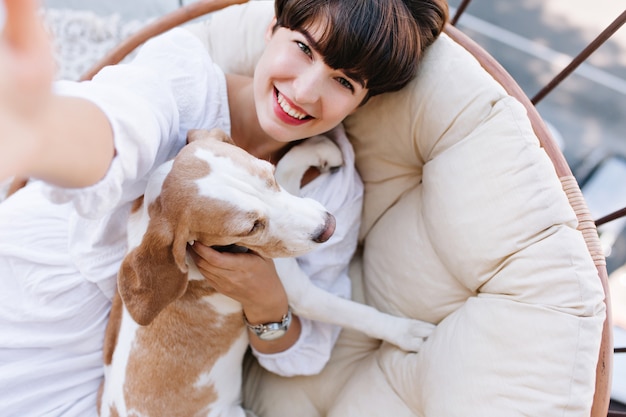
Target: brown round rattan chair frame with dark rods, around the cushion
587 225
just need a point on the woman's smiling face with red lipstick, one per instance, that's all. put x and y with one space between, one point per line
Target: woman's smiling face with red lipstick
296 94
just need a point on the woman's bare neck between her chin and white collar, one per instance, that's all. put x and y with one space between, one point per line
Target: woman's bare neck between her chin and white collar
245 128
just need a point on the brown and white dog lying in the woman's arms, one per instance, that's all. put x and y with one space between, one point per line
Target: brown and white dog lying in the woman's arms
174 346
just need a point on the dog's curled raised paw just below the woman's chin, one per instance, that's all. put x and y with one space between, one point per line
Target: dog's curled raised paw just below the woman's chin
319 152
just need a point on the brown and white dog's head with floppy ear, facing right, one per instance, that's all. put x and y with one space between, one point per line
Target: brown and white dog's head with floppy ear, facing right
215 193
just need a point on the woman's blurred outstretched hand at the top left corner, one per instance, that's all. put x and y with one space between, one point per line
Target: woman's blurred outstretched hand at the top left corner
26 74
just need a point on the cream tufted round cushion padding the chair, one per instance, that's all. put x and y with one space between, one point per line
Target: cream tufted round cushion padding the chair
465 225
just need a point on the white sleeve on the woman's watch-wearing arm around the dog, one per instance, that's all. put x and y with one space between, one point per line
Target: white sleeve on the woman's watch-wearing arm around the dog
327 267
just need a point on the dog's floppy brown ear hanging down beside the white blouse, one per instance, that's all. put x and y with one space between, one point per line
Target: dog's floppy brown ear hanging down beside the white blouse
154 274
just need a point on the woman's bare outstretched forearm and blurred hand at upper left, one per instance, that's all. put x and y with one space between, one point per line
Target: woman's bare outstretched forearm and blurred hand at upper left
66 141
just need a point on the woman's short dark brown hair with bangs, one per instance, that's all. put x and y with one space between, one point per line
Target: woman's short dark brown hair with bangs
376 42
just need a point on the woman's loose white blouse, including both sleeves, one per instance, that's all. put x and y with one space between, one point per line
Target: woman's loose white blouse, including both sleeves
60 249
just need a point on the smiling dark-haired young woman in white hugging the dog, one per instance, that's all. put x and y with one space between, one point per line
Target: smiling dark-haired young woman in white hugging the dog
92 146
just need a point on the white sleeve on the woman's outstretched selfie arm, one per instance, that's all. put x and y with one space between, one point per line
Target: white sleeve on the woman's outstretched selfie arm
171 86
